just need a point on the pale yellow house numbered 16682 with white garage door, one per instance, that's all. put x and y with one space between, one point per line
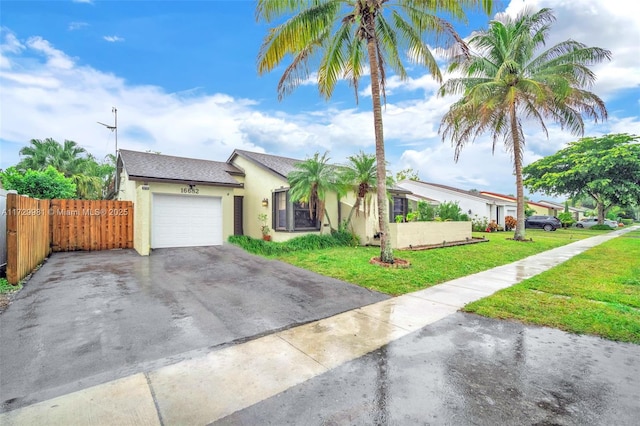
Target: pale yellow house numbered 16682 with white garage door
182 202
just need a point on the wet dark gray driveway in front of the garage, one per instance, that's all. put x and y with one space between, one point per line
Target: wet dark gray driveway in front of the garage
87 318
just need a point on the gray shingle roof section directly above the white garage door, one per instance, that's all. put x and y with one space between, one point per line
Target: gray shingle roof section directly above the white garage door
158 167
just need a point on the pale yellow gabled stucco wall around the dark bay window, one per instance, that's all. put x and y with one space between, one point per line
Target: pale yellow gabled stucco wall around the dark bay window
260 183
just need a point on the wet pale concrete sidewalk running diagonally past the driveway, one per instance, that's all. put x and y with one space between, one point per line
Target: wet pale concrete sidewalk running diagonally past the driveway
205 388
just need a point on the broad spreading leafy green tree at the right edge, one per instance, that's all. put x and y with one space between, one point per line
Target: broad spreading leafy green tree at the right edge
606 169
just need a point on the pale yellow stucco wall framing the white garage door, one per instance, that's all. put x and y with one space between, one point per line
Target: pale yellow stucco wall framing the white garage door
141 193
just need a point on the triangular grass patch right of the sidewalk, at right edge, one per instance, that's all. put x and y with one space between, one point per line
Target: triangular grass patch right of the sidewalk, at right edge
596 292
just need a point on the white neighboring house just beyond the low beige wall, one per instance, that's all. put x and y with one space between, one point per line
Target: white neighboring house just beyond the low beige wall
471 203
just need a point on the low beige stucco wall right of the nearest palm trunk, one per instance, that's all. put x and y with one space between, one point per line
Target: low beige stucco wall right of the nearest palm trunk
426 233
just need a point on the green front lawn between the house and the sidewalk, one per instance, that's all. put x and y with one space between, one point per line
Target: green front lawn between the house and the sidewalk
429 267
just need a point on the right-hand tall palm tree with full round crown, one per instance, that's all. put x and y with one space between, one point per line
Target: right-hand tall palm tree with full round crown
507 80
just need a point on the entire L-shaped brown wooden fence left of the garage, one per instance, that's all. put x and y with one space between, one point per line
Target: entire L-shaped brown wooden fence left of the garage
37 227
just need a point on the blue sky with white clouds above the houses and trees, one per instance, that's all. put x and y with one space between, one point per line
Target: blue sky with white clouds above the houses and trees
183 77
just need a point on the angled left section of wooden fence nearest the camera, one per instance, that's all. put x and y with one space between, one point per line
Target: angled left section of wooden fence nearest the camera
28 235
